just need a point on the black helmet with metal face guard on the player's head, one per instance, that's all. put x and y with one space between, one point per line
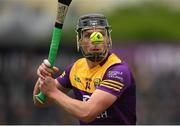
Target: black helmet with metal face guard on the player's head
90 21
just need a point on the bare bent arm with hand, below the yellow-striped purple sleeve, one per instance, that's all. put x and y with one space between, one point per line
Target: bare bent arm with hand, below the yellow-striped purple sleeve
83 110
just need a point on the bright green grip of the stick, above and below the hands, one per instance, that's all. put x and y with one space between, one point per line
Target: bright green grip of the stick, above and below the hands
51 58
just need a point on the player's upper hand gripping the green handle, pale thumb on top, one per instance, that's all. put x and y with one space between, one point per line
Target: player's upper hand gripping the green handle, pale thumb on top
45 70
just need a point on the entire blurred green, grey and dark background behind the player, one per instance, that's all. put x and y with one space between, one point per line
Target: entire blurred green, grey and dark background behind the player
146 34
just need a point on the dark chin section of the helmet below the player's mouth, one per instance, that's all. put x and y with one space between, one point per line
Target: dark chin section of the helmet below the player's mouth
94 57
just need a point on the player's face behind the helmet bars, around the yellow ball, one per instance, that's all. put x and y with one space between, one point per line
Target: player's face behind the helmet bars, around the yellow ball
88 46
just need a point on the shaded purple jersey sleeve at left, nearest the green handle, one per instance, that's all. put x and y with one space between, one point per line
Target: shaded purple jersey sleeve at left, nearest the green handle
63 79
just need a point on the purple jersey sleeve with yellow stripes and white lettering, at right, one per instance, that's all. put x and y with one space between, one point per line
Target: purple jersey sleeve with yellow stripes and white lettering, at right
116 80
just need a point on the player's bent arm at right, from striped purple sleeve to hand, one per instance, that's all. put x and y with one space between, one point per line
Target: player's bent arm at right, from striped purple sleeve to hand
115 81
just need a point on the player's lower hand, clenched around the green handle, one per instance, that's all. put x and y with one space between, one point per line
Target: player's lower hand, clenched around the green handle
48 86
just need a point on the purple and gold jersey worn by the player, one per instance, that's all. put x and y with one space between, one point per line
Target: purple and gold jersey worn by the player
111 75
